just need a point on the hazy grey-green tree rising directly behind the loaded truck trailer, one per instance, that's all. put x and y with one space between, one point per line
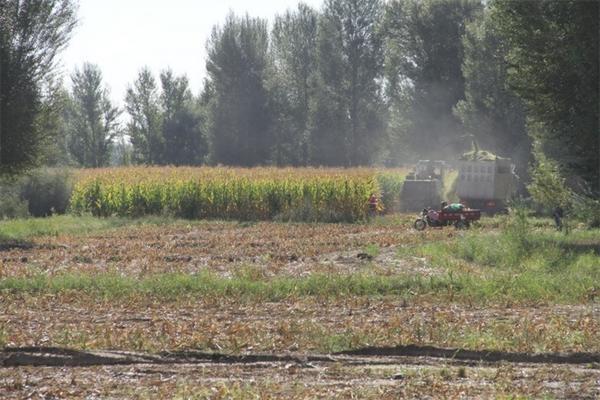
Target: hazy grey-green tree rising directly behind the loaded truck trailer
492 113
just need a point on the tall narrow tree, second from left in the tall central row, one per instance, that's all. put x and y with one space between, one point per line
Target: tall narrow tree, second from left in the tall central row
292 84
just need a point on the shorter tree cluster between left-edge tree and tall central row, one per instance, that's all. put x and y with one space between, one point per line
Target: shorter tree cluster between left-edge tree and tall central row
165 122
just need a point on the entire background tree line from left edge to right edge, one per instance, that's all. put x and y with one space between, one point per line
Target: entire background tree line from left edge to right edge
357 82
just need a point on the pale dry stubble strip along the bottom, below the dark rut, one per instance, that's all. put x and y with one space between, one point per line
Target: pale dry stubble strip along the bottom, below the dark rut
192 375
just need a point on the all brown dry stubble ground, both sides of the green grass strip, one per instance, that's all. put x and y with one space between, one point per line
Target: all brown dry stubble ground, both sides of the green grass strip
227 348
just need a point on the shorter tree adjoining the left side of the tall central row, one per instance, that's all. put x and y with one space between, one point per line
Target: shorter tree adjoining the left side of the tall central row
185 143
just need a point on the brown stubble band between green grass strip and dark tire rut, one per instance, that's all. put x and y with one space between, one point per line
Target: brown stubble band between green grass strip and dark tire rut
303 324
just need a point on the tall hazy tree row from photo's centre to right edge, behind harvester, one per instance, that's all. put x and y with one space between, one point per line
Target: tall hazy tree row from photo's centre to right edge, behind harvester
364 81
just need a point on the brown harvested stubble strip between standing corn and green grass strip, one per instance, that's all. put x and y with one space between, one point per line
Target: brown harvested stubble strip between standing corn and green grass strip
220 247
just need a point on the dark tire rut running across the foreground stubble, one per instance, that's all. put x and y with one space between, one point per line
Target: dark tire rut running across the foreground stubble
58 357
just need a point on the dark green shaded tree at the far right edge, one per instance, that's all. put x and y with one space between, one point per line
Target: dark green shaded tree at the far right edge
553 57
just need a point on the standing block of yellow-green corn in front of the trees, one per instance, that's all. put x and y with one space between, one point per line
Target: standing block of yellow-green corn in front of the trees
307 194
